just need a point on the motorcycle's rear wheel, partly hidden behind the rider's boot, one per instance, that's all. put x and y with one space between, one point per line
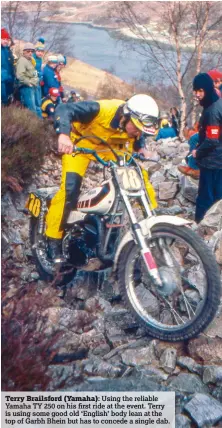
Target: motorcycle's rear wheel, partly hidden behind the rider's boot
63 274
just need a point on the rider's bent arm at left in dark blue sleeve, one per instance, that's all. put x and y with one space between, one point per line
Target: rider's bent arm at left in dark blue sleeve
65 114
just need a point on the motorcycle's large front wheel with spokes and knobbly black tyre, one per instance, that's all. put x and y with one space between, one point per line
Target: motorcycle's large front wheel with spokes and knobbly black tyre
190 294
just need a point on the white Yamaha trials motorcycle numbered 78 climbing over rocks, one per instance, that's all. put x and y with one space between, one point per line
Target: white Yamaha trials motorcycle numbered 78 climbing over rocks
168 277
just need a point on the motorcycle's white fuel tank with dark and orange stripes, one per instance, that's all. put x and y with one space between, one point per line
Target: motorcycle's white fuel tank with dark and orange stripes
98 200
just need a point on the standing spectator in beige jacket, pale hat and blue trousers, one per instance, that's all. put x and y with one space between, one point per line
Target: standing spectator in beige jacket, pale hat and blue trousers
28 79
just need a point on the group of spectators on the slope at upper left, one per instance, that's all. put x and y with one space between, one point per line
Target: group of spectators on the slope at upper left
27 80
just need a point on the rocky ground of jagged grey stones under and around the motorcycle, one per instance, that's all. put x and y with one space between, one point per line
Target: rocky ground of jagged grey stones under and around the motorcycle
96 344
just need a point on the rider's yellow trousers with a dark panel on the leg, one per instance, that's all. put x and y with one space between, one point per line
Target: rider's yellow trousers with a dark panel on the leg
65 200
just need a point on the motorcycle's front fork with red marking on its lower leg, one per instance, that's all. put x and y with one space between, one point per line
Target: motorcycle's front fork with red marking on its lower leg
144 249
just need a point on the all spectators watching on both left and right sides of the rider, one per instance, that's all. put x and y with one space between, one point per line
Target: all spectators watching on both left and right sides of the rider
38 87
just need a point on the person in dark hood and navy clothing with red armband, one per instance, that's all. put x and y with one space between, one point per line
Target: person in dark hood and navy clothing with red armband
208 153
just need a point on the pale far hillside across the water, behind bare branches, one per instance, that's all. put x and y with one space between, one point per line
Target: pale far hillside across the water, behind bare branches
155 27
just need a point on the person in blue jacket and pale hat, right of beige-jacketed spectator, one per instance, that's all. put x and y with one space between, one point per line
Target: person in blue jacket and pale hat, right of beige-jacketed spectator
50 76
